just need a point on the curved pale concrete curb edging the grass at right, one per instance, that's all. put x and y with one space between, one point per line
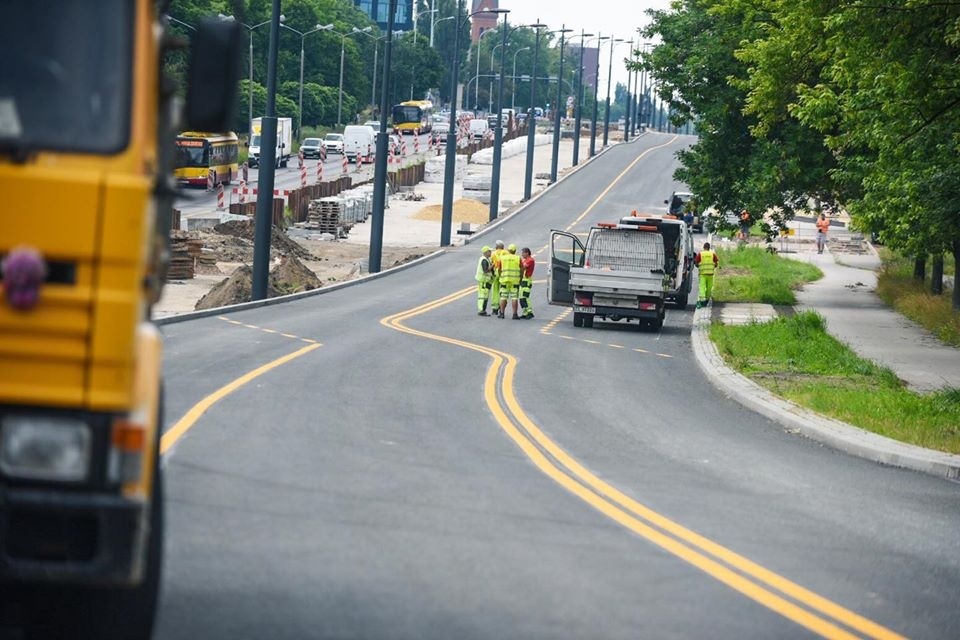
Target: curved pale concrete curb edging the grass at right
834 433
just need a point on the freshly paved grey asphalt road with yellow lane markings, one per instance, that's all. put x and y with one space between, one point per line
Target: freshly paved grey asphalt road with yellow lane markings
412 470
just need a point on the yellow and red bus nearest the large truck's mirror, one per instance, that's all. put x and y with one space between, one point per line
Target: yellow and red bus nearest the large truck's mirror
200 153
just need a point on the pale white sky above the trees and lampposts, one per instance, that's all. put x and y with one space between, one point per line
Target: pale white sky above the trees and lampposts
618 17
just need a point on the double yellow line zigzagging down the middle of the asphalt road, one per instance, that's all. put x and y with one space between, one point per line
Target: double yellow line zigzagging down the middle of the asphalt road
651 525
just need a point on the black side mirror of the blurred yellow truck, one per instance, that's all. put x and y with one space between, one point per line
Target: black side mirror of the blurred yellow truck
213 74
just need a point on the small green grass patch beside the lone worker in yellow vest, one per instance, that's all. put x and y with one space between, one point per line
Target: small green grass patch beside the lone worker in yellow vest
751 274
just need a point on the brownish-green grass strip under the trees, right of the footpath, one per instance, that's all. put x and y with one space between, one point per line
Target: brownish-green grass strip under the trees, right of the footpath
896 287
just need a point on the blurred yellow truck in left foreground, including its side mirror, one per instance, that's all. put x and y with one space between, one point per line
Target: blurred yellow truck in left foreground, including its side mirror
87 122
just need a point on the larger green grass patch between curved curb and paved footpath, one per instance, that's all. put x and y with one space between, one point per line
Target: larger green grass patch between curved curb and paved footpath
797 359
